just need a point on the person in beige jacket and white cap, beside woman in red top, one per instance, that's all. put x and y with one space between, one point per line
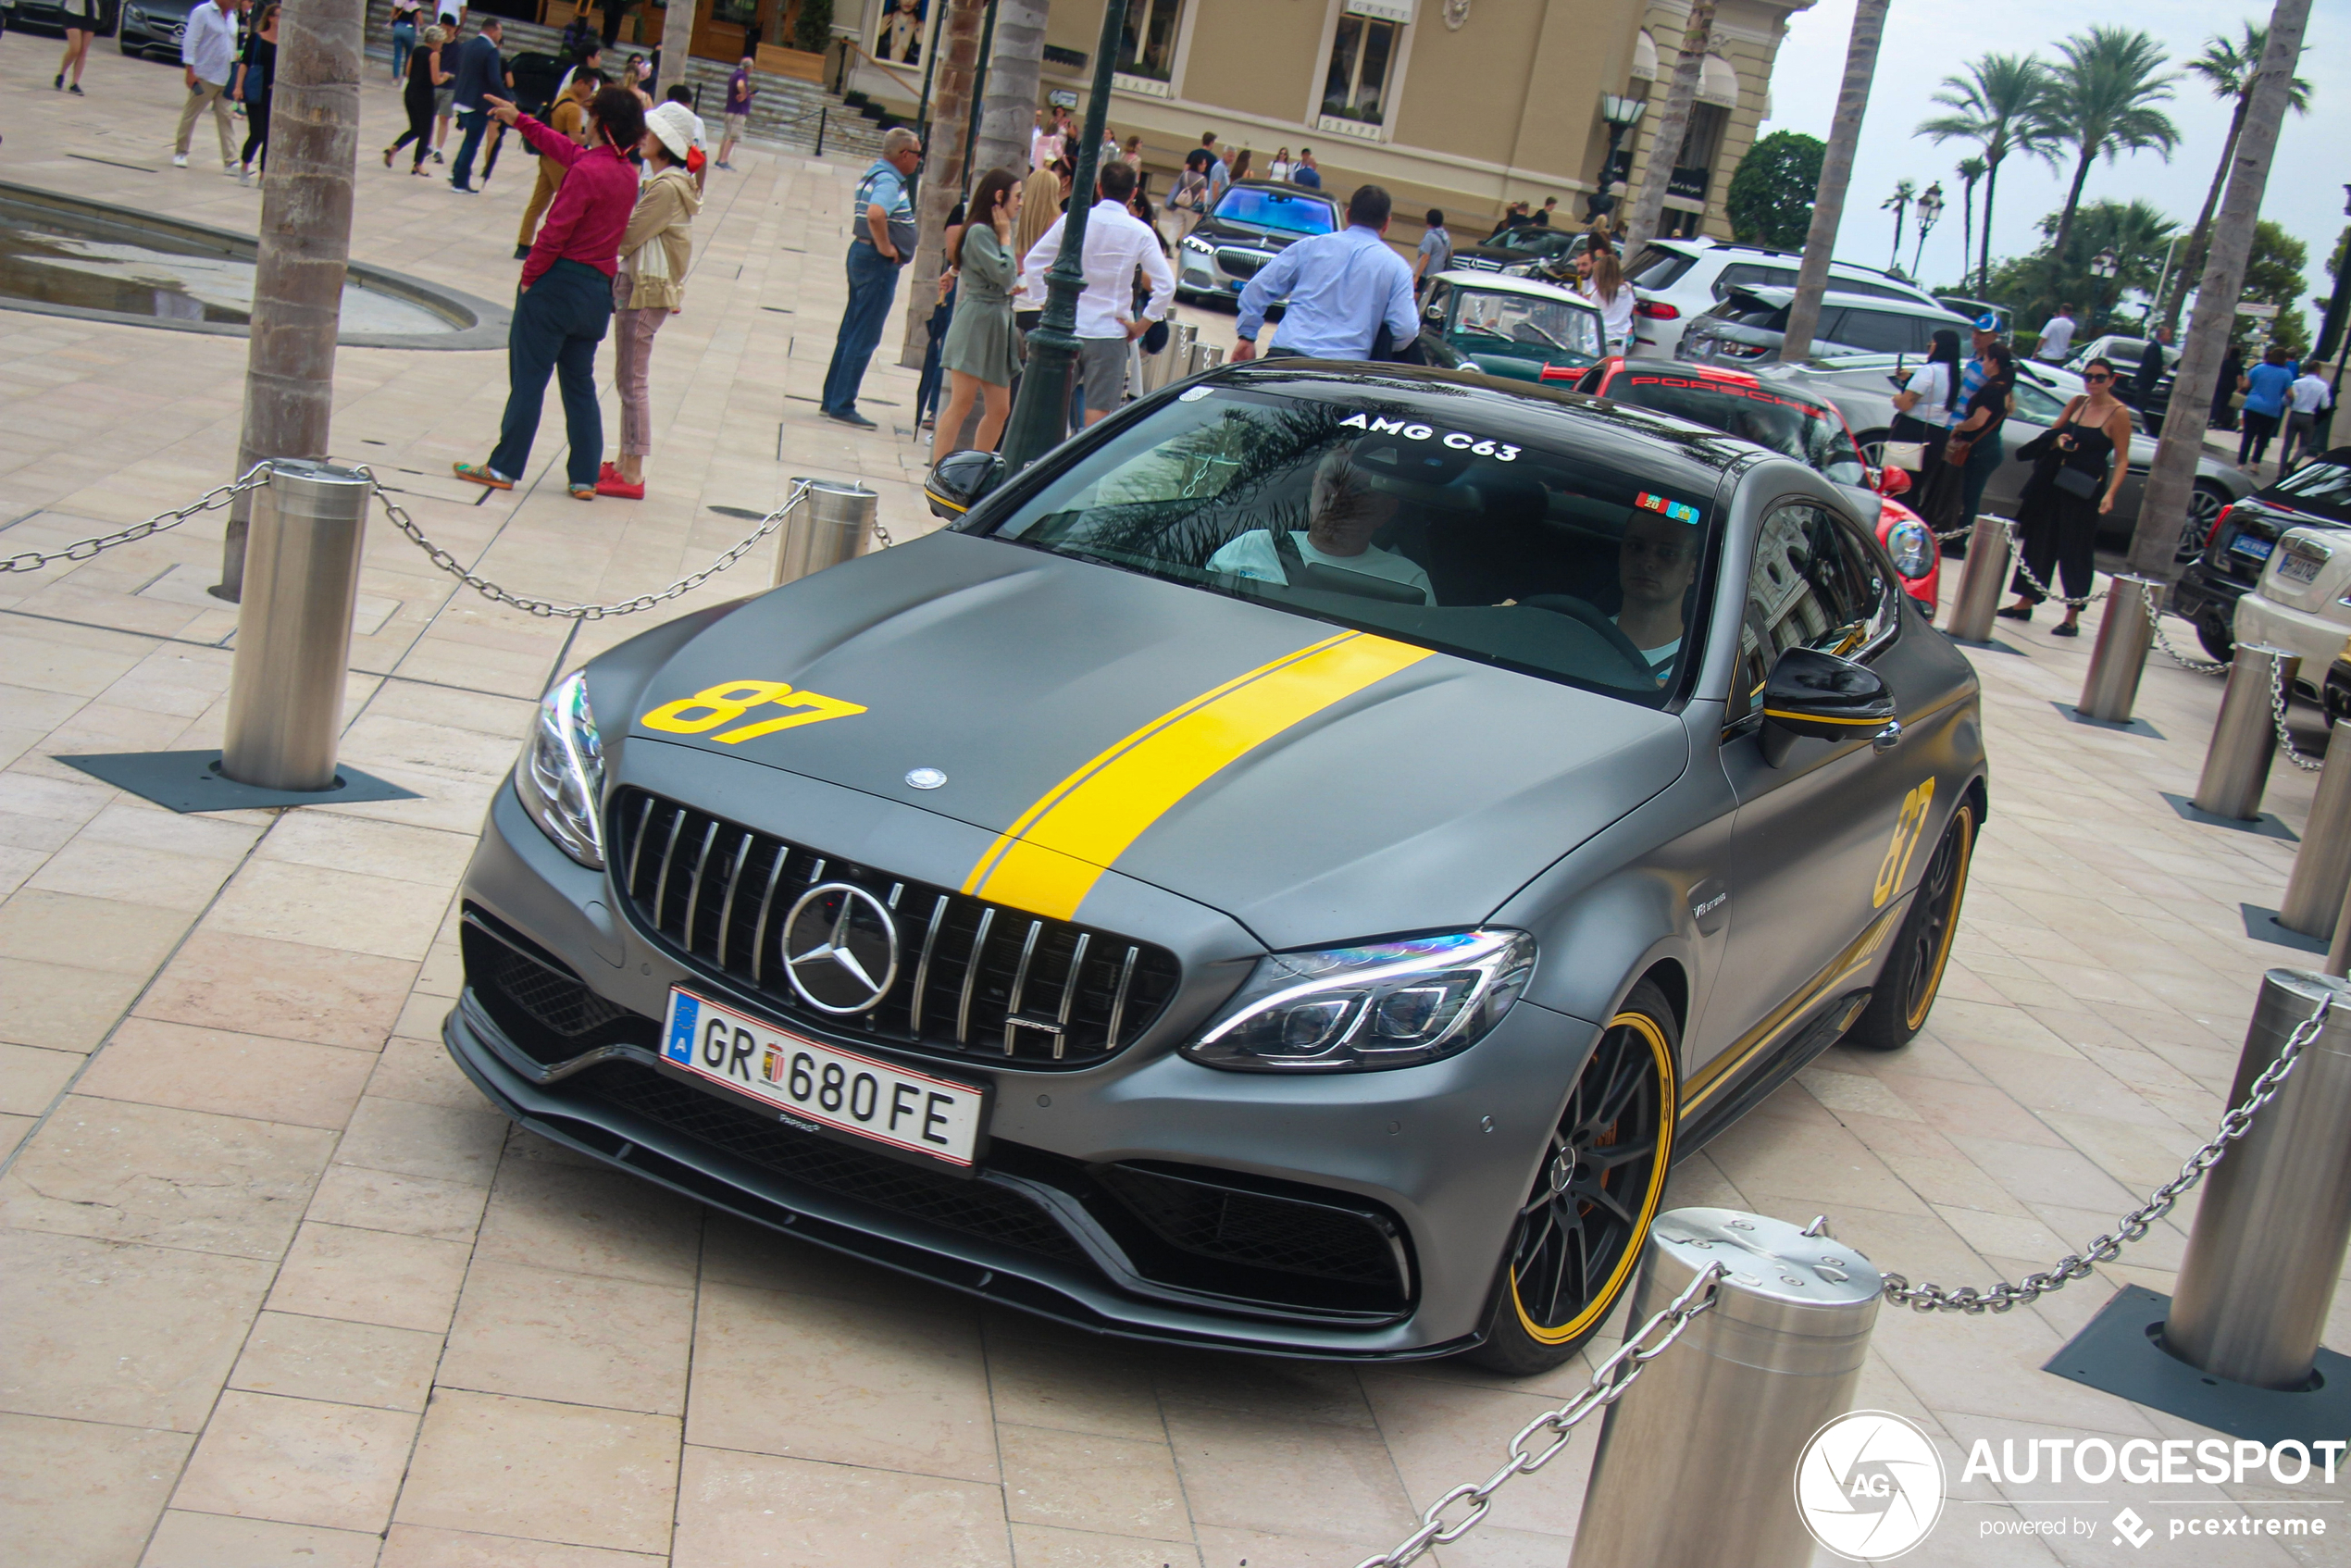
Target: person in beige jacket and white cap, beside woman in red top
650 286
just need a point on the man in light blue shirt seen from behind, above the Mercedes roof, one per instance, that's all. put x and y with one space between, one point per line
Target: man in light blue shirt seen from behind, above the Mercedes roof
1344 288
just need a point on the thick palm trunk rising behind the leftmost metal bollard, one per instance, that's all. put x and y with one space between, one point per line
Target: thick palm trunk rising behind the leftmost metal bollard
304 250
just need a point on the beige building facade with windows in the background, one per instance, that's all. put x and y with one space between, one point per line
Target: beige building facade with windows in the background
1456 105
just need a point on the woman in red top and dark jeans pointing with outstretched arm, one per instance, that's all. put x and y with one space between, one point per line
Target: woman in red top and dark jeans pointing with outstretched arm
565 300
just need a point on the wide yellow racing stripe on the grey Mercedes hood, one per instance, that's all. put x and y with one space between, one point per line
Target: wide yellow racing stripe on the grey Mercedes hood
1057 852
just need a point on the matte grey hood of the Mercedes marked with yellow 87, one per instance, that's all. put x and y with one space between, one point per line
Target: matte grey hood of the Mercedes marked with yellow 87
1414 800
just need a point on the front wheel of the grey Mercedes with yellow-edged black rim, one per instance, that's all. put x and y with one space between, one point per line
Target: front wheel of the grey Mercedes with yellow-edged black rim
1581 1233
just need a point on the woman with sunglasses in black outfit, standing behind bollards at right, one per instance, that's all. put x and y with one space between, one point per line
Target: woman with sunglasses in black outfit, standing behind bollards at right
2079 467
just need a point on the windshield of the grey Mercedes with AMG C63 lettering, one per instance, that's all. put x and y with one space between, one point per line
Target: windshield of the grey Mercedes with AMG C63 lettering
1367 514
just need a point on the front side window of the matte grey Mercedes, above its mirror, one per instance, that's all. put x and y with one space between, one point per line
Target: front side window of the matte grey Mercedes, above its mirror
1811 587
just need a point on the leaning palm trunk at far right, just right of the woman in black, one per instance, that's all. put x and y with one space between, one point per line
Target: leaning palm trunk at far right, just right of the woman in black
2171 483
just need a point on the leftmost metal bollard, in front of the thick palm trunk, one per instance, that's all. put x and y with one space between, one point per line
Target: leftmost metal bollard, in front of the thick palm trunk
302 579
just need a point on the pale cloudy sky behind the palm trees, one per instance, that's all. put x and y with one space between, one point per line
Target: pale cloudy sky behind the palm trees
1931 39
